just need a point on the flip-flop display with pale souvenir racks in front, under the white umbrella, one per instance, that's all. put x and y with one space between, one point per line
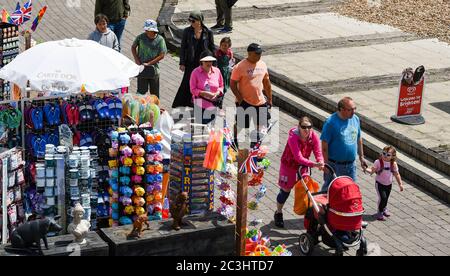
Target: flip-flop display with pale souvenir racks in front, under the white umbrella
61 134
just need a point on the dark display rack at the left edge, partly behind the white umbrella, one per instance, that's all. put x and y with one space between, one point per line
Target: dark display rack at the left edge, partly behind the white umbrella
9 49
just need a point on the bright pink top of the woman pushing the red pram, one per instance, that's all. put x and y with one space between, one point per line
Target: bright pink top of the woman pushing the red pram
297 152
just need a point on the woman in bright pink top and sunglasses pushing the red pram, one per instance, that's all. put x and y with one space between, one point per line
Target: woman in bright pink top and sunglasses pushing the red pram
302 141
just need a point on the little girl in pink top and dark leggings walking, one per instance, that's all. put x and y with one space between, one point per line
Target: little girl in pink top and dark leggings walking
386 168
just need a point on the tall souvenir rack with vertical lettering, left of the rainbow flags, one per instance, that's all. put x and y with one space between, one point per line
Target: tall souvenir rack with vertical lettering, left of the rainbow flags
187 173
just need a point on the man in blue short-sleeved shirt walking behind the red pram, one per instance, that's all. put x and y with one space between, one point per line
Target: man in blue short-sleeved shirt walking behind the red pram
342 142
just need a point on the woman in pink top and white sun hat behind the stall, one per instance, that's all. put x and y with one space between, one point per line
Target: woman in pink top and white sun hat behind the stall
206 88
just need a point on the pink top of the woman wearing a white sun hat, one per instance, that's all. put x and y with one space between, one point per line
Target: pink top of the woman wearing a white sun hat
200 79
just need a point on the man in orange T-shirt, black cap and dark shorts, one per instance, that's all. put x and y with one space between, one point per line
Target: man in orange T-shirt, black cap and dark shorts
251 85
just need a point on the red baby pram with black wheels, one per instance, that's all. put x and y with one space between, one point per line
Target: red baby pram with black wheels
335 217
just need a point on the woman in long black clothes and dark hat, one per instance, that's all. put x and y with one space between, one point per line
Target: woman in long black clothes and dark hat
196 39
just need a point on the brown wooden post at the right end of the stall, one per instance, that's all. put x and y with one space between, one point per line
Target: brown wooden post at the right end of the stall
241 206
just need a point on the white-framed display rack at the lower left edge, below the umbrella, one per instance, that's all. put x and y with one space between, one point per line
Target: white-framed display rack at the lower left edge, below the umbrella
12 211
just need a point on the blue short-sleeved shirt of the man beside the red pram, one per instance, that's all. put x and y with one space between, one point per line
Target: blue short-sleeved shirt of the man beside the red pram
342 137
